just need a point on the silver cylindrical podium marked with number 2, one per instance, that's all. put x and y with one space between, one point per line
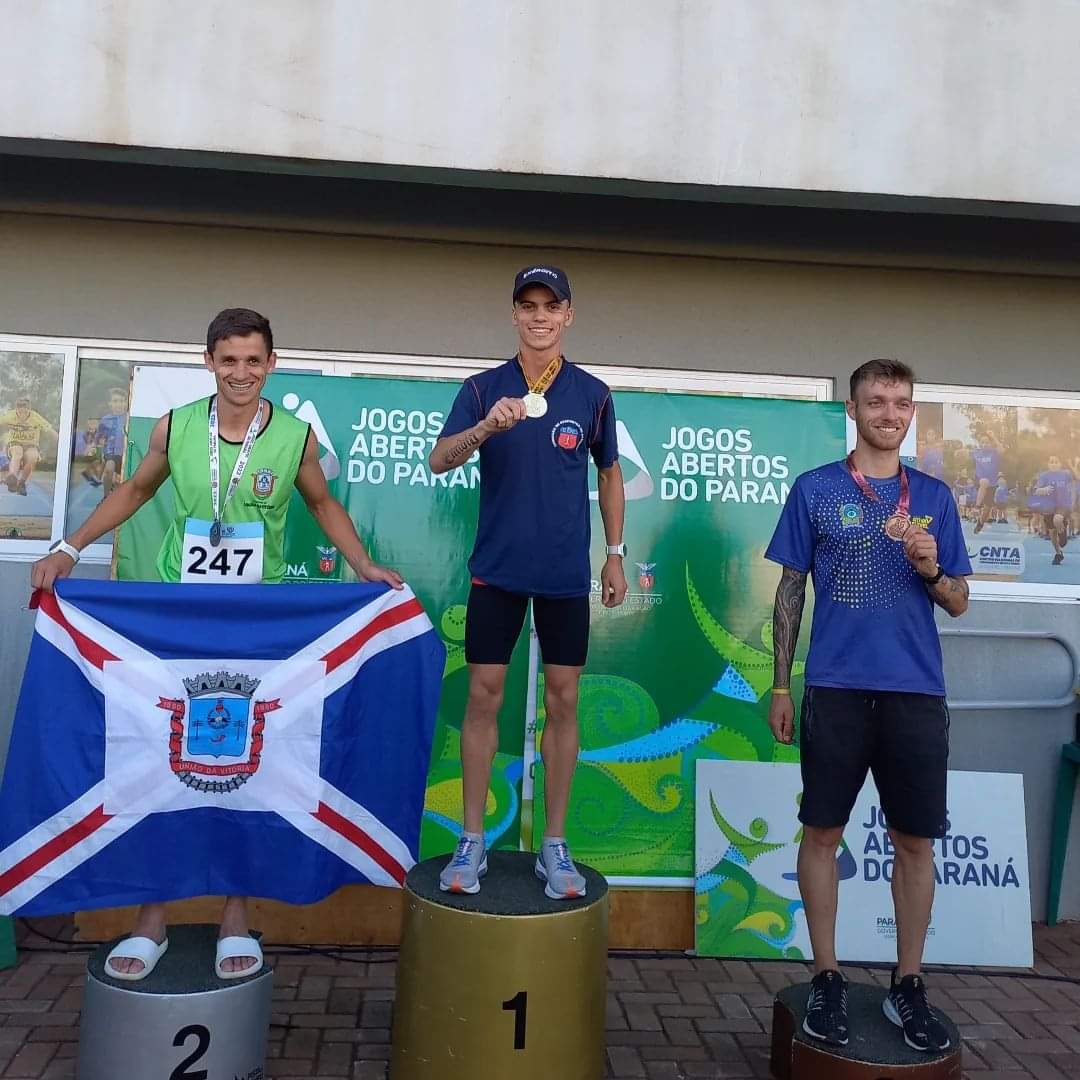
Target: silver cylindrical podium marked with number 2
181 1021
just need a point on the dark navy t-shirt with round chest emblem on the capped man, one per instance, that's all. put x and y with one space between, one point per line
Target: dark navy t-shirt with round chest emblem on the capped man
534 530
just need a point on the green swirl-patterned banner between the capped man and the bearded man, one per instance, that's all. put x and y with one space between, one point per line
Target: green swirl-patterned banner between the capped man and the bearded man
681 671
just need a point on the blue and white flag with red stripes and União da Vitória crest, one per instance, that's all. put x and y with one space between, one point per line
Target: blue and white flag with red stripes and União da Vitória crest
177 741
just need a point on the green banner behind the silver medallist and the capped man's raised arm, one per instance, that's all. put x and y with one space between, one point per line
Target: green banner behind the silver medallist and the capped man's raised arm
375 436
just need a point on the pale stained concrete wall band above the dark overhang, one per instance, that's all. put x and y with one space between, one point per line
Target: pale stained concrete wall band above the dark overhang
967 100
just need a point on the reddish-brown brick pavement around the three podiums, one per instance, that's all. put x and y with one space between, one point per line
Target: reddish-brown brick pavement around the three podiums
669 1018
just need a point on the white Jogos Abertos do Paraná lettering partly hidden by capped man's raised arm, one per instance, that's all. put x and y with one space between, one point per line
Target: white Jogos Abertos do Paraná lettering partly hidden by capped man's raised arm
404 439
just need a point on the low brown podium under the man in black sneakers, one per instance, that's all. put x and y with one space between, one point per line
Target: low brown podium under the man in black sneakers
875 1051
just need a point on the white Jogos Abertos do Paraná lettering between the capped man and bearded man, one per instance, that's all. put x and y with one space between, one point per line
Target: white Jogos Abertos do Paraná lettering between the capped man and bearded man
720 465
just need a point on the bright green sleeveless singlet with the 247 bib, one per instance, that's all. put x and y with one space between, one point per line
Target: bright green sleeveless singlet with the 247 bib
260 505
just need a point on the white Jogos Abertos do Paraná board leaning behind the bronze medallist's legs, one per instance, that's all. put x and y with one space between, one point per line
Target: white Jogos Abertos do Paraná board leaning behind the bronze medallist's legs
747 892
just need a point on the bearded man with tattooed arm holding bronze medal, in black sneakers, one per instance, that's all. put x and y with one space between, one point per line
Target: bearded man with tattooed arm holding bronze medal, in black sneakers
884 545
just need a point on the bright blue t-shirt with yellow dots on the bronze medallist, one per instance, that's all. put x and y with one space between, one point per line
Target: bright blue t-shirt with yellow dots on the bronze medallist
873 618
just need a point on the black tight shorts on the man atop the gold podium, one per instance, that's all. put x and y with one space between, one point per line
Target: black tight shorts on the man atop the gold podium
495 618
